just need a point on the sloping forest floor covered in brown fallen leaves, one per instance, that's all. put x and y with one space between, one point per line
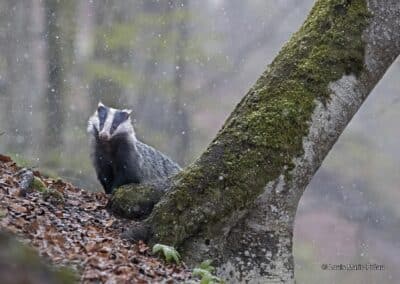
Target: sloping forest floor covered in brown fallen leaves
72 227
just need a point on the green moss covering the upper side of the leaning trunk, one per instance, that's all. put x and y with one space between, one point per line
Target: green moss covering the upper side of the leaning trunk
265 132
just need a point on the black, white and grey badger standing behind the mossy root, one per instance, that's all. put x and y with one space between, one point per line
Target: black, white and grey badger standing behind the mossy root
118 156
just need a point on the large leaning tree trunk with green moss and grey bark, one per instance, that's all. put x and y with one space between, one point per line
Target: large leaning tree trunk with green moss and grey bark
237 202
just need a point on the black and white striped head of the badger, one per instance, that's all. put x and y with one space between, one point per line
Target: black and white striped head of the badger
108 122
